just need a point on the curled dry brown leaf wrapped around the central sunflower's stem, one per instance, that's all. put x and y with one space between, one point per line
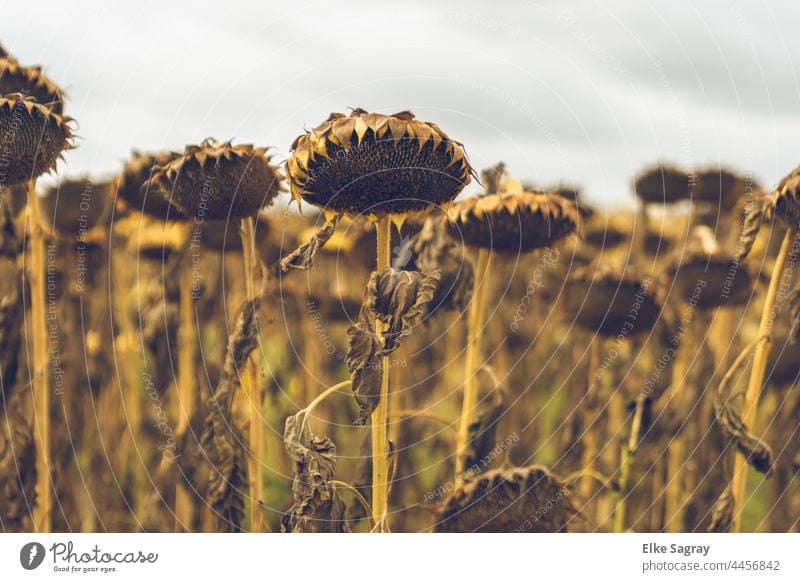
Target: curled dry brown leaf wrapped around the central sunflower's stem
399 299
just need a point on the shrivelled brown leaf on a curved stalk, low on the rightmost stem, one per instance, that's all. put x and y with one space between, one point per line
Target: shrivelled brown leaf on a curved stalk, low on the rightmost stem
755 450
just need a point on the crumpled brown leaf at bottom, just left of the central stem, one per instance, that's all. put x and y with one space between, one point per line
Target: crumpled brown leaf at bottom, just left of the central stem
317 507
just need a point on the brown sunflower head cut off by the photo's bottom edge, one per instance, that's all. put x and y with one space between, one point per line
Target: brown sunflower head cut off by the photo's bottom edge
525 500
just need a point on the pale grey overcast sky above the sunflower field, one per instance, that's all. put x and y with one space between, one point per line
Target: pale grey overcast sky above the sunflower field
583 92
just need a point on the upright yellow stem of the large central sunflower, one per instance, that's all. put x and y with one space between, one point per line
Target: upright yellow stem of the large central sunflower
380 439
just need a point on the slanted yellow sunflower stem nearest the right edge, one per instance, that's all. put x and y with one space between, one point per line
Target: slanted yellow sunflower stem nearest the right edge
750 405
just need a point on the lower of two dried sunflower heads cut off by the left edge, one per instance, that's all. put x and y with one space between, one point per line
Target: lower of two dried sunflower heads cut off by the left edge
34 138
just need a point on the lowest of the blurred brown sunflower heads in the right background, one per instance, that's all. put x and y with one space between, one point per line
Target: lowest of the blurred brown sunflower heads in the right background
612 303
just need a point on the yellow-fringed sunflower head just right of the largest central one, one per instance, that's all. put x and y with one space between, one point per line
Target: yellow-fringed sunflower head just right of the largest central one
513 223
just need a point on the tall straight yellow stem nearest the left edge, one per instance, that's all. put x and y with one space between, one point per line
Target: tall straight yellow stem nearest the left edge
40 378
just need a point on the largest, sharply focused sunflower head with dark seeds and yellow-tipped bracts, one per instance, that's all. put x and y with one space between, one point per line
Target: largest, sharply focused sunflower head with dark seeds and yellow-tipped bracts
369 163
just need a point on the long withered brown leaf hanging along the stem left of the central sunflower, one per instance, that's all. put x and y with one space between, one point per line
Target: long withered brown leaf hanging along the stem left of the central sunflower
222 442
